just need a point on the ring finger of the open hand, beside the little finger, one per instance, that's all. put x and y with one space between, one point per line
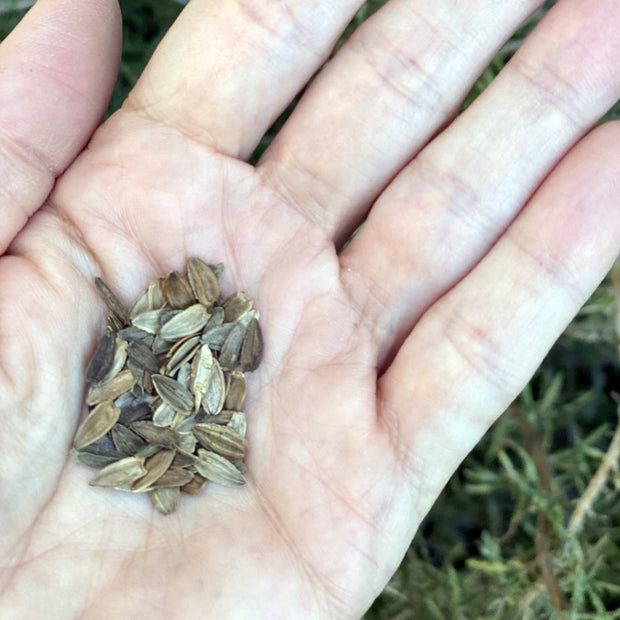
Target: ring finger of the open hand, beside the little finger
445 210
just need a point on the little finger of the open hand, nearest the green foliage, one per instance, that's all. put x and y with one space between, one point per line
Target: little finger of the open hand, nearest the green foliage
475 349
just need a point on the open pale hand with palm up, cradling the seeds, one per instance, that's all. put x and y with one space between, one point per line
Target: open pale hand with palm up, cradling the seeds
384 364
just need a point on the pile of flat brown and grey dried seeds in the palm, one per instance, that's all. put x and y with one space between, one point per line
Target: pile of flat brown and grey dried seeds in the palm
167 388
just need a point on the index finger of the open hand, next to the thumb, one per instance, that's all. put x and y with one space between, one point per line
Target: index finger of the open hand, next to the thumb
227 68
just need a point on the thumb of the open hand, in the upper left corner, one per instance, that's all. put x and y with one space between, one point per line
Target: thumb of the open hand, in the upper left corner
58 70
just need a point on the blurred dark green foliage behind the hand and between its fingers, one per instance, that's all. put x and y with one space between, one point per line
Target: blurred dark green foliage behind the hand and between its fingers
529 526
